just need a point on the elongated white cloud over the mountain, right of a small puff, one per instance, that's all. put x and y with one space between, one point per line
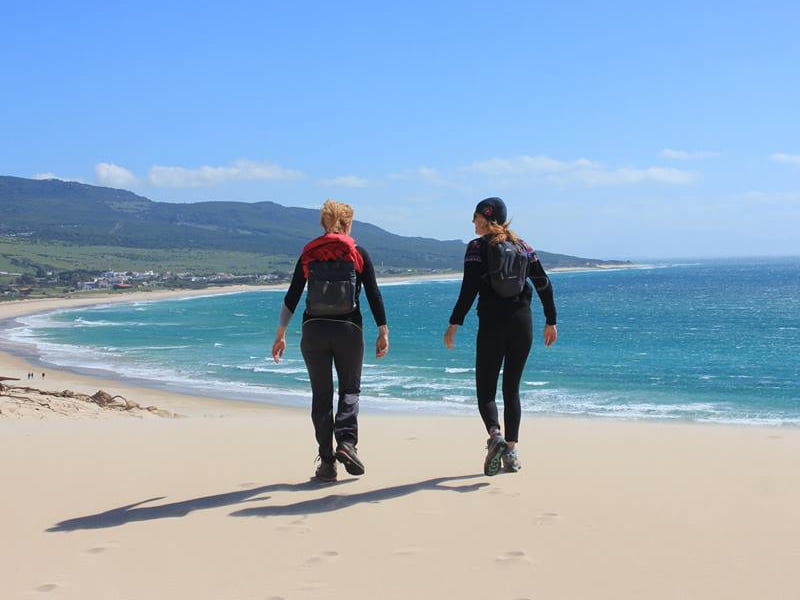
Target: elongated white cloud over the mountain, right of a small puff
242 170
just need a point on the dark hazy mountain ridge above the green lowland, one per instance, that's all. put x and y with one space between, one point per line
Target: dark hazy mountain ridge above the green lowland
86 215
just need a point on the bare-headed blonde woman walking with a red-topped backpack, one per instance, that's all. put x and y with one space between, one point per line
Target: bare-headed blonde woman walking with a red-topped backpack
335 269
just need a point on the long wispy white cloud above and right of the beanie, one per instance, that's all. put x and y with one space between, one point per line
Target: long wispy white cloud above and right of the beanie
581 170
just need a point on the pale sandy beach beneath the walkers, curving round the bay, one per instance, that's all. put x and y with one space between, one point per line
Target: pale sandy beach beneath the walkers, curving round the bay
217 503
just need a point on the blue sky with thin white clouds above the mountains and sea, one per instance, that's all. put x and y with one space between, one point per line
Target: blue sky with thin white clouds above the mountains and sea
613 130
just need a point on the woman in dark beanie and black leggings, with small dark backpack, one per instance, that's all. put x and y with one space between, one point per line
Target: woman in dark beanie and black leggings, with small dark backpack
498 267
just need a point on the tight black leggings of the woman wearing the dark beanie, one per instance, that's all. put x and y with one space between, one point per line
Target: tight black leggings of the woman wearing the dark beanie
502 343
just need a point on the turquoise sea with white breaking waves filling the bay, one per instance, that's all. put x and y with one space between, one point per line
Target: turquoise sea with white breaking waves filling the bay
715 341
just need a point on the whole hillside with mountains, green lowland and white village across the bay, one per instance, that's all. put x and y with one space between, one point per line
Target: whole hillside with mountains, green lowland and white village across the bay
58 236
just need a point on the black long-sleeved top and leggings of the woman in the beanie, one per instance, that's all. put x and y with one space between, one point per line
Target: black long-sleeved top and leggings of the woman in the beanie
505 333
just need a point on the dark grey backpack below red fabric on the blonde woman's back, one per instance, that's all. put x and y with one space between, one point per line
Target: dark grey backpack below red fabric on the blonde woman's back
331 288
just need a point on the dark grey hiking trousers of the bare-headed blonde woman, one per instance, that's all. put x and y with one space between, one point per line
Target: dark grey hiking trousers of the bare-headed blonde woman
327 343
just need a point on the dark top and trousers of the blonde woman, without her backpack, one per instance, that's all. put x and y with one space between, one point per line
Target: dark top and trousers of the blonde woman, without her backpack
335 341
